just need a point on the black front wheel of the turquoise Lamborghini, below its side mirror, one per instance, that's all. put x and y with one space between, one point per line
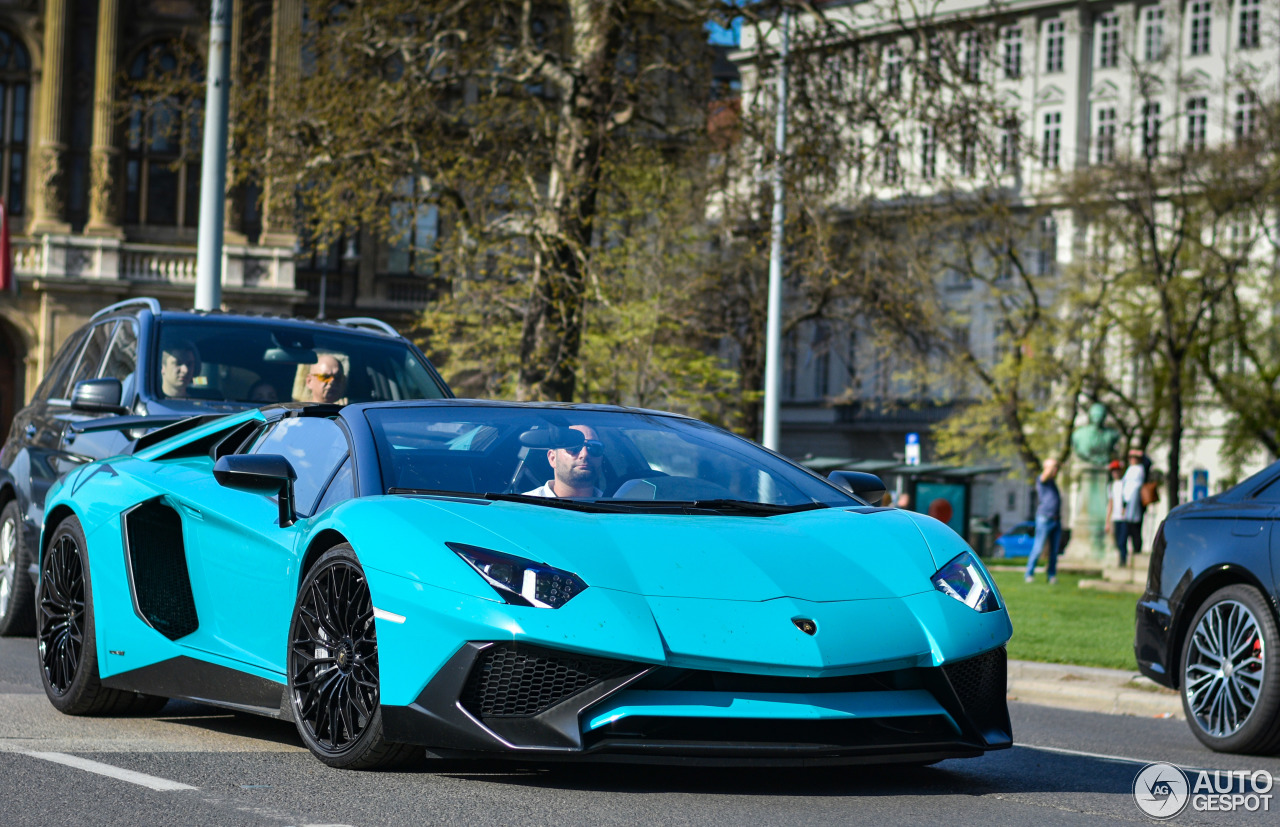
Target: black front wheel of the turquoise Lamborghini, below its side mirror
333 668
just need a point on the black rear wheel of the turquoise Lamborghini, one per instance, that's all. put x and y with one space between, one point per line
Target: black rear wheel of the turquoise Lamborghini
66 636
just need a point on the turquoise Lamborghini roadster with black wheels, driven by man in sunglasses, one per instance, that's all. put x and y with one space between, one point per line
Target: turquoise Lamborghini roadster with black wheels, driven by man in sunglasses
459 578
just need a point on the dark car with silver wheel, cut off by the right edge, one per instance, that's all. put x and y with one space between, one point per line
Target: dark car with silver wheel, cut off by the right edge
1208 623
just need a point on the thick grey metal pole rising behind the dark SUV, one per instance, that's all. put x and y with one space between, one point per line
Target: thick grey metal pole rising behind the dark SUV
213 176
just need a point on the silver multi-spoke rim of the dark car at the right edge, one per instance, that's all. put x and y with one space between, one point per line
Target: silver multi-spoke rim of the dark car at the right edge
1226 669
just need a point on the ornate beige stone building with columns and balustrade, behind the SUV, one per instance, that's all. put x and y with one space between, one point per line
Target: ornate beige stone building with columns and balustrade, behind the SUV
104 205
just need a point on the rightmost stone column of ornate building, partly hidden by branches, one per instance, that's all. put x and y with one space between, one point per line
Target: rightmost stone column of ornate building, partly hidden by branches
278 208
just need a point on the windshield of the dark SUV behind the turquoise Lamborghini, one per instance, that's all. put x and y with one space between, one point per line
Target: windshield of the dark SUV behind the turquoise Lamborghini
213 359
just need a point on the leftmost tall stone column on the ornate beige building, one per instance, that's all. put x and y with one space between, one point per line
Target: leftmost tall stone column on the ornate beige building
51 200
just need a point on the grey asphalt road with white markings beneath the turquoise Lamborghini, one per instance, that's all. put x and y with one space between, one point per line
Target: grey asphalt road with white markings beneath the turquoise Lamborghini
202 766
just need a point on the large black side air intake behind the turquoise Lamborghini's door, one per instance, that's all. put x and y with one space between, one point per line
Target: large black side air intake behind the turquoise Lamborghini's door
158 570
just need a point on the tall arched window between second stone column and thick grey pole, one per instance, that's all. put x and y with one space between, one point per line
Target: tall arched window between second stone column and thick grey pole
162 154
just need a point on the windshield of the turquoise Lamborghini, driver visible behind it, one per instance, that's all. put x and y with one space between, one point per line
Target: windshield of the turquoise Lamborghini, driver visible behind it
557 458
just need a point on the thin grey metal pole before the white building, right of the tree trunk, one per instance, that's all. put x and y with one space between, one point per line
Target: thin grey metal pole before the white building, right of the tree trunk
774 327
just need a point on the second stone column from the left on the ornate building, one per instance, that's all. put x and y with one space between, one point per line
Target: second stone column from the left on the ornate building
104 159
